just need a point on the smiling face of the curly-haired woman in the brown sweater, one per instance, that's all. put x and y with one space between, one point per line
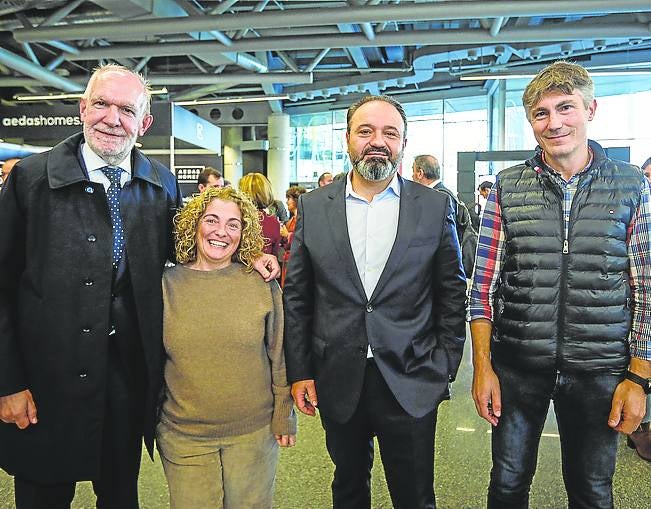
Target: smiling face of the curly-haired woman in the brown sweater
218 235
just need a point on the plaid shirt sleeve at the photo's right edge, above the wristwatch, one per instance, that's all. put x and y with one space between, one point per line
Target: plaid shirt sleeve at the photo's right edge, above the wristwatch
639 255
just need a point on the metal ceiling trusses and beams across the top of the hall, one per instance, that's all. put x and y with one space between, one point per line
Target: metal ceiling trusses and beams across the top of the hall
312 51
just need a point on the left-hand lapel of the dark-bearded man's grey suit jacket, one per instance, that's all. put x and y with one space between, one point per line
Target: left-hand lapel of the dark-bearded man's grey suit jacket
336 213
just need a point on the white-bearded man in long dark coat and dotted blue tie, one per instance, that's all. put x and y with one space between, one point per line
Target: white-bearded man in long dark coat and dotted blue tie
85 230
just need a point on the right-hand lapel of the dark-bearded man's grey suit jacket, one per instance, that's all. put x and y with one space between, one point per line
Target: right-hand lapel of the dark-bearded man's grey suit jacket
410 212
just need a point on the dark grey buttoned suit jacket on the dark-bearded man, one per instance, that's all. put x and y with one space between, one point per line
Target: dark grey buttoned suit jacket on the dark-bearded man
414 321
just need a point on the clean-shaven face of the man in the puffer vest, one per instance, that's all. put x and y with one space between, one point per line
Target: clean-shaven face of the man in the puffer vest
560 123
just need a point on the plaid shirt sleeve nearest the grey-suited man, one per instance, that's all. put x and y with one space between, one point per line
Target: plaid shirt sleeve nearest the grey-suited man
488 261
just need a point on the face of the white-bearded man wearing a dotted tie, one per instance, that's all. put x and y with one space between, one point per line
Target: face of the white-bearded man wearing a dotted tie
114 115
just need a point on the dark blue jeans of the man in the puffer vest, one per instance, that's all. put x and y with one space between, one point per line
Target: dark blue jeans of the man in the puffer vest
582 404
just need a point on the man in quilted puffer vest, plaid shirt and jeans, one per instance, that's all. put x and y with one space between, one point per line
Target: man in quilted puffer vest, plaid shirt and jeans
560 302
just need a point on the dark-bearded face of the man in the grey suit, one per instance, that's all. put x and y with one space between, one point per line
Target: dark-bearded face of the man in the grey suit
376 140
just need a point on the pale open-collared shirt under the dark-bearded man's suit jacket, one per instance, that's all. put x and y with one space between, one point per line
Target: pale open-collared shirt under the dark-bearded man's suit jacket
372 230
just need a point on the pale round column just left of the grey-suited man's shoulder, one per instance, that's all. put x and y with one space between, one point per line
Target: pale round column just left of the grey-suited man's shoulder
278 165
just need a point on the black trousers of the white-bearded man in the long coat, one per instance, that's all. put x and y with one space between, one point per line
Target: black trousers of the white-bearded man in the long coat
117 485
